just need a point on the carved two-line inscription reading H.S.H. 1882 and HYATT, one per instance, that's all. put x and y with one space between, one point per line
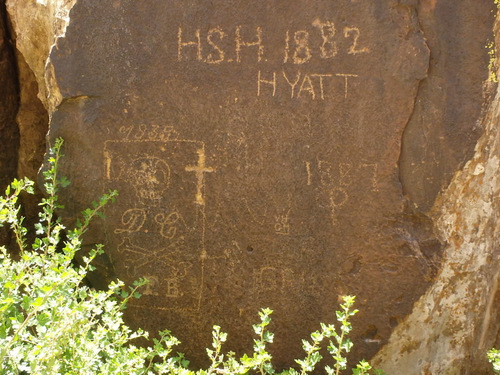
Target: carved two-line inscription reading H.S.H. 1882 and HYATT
247 45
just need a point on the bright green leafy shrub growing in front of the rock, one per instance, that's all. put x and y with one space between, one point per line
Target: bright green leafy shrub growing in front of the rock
51 322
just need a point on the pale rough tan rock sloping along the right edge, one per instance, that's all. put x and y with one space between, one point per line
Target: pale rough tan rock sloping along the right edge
454 324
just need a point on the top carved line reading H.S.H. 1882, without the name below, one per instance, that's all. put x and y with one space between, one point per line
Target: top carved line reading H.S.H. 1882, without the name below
247 44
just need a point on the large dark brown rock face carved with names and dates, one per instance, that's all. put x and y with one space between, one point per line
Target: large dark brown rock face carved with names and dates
273 154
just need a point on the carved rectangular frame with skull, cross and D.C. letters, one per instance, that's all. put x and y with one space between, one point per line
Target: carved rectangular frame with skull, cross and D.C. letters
162 225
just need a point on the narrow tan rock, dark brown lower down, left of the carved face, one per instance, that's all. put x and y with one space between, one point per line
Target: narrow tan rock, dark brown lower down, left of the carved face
36 25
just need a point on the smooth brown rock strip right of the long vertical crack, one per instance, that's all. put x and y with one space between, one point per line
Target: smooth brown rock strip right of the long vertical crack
445 123
